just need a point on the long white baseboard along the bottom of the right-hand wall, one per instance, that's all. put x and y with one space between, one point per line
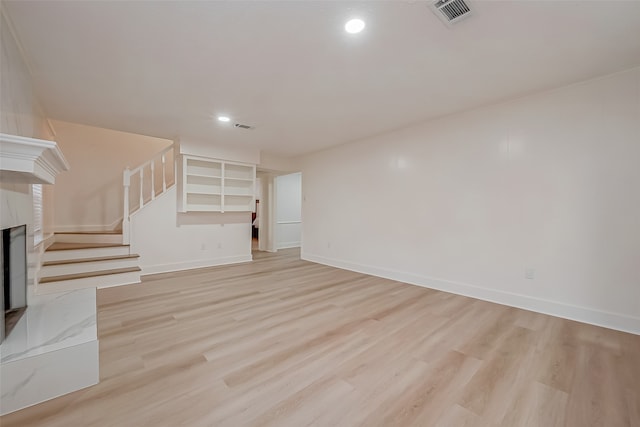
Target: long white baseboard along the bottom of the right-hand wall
592 316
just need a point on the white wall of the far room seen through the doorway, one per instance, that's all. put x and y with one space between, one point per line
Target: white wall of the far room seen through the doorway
288 210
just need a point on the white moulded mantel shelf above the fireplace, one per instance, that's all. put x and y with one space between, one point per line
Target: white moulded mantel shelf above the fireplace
29 160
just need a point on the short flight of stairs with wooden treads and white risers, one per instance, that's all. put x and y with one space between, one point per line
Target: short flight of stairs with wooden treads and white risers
85 260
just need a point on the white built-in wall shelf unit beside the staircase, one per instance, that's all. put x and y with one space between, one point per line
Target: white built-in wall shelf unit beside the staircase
211 185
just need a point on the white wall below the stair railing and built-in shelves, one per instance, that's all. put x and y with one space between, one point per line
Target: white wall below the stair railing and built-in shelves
169 241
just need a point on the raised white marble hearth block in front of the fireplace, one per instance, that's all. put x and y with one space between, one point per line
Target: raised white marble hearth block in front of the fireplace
53 350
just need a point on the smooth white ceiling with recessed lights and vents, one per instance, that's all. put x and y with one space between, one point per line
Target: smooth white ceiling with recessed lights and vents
288 68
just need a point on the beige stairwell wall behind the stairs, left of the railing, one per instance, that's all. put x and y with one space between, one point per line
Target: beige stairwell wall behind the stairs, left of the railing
90 195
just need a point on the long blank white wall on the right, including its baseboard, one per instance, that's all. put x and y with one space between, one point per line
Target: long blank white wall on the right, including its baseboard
469 202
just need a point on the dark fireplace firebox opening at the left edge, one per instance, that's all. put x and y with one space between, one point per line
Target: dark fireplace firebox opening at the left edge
14 277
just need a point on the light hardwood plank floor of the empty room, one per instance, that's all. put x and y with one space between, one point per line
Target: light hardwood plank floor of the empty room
284 342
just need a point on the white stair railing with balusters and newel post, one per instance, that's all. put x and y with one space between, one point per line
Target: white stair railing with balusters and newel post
141 185
